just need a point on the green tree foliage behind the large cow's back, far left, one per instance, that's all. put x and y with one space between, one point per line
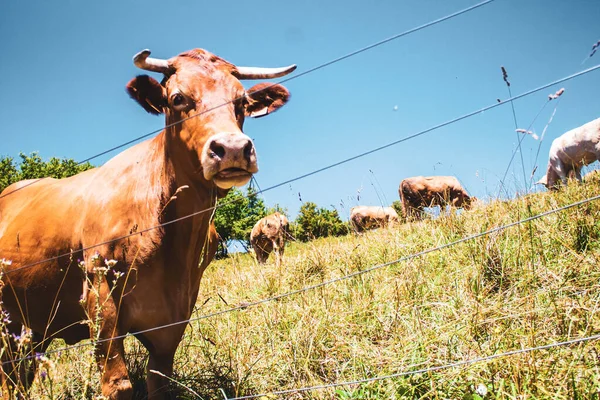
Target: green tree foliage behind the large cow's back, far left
32 166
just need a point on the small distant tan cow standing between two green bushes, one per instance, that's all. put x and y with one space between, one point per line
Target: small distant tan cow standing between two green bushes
269 234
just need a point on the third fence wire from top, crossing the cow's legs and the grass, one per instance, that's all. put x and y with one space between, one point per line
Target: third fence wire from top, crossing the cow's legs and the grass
321 284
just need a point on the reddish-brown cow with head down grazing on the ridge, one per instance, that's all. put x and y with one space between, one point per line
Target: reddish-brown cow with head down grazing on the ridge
420 192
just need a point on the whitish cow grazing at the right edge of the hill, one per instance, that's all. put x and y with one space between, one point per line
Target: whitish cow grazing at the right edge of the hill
570 152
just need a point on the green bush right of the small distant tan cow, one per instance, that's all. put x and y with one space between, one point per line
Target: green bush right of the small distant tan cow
313 222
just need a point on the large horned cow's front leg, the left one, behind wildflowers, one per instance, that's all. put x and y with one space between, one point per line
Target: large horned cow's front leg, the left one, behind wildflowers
103 314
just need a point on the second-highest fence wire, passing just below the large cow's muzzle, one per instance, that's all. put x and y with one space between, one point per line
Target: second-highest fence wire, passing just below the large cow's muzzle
317 171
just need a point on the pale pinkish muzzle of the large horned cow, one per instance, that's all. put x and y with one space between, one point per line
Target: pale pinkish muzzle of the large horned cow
229 159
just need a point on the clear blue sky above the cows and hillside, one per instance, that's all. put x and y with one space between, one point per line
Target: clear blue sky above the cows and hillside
65 65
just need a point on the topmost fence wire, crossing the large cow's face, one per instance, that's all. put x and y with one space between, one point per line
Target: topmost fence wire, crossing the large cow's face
291 78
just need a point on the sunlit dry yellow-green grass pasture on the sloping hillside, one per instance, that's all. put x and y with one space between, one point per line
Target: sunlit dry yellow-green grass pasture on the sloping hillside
529 285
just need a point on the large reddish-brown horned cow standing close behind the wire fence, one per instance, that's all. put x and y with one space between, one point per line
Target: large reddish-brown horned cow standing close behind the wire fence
151 277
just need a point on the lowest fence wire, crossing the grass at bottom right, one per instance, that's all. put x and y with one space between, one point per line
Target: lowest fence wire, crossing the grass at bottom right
424 370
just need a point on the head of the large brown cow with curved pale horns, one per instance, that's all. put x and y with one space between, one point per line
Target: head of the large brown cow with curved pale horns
205 105
